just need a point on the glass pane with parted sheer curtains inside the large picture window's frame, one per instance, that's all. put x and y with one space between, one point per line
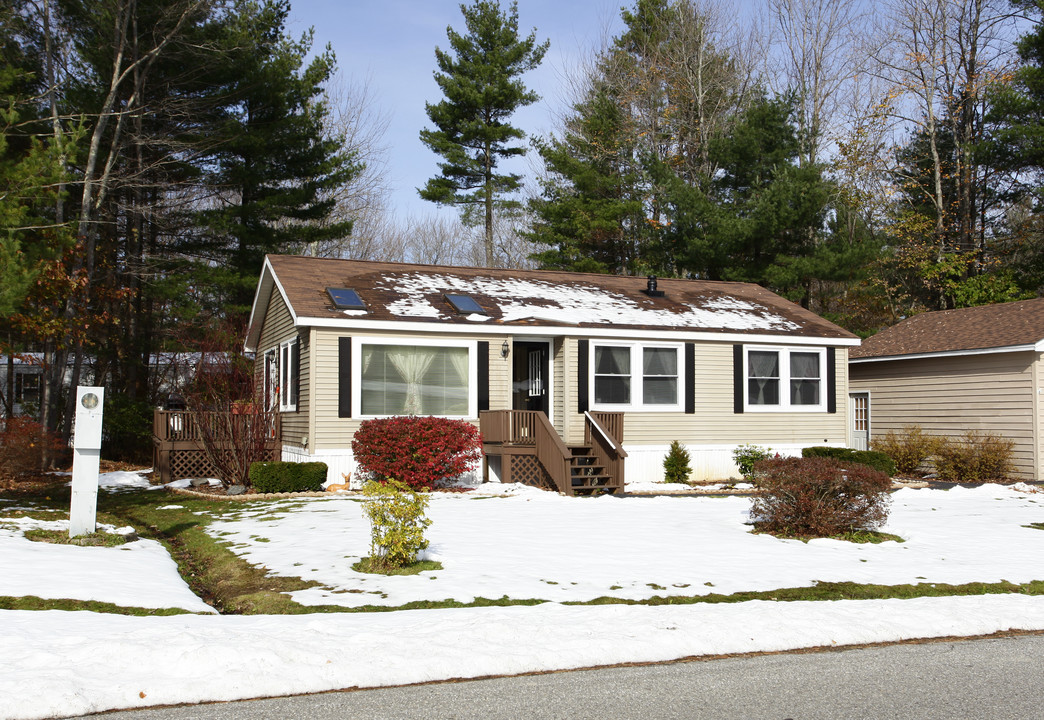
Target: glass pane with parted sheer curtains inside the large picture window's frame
415 380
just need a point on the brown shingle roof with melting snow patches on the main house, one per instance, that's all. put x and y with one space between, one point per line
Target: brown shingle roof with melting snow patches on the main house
518 300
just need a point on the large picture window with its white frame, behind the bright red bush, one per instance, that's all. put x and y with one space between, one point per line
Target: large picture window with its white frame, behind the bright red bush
393 377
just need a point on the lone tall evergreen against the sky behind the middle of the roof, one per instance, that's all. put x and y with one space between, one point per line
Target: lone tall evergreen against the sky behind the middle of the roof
480 79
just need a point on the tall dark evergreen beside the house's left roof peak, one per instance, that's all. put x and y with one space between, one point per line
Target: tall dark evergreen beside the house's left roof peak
273 159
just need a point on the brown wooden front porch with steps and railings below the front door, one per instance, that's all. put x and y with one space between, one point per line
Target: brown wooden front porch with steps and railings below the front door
531 451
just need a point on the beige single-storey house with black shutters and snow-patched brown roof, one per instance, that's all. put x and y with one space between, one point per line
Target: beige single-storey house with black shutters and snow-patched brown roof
553 366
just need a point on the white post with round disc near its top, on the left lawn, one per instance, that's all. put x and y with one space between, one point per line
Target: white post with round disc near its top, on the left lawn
86 454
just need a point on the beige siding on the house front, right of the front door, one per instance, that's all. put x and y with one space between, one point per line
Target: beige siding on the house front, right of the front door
715 421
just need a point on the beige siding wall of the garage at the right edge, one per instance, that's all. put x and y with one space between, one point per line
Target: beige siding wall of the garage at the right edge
950 396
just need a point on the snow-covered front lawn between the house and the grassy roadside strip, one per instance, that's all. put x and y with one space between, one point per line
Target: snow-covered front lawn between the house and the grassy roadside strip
531 544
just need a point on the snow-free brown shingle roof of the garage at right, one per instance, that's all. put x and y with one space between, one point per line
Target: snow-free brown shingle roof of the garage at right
1009 326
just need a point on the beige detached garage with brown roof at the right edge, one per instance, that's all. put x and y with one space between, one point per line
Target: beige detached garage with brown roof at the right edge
955 371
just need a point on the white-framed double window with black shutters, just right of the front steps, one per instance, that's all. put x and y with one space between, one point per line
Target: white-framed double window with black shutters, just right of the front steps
637 377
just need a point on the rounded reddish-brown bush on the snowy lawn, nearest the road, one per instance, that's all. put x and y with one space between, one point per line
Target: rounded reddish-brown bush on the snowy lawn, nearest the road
820 497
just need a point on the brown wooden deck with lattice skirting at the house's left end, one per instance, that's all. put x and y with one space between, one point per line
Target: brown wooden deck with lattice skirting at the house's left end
177 450
